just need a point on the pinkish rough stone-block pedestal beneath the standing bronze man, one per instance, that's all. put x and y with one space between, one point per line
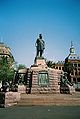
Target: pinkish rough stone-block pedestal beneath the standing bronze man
53 75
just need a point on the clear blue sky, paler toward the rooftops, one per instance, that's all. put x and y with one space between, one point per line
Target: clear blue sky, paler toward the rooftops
21 22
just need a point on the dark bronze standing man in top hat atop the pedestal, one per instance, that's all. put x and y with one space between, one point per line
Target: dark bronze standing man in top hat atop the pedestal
40 46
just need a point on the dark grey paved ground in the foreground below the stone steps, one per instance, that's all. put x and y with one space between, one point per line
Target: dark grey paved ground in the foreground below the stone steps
40 112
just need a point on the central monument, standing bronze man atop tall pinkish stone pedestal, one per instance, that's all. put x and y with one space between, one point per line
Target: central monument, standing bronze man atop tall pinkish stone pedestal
44 80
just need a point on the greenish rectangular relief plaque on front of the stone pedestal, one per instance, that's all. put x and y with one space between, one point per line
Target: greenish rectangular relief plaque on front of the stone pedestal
43 78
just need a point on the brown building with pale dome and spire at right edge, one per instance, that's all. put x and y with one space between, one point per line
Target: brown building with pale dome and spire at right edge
72 66
